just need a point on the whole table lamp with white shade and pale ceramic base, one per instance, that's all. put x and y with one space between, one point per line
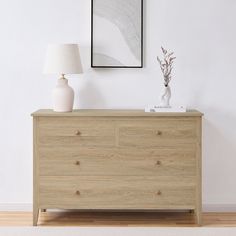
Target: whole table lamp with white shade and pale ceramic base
63 59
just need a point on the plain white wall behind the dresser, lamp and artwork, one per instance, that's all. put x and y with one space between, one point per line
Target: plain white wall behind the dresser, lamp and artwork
201 32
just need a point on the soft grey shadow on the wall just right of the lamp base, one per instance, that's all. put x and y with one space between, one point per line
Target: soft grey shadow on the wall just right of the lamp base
89 96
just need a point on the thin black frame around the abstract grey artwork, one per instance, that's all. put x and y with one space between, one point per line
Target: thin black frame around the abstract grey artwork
92 41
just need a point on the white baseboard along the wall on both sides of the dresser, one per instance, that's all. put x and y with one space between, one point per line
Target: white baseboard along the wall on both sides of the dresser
206 207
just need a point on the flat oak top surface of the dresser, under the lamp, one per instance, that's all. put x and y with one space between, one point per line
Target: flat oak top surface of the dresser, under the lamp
114 113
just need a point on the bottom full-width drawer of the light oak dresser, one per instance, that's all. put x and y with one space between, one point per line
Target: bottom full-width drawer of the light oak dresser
113 192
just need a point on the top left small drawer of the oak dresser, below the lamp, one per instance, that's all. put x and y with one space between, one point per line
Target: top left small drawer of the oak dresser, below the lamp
75 131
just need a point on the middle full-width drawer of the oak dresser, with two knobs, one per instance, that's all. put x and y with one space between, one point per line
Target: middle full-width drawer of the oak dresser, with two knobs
116 161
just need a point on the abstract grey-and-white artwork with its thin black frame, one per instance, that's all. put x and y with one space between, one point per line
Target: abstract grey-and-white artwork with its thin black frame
117 34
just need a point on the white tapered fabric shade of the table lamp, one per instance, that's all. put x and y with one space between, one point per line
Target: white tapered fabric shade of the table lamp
63 59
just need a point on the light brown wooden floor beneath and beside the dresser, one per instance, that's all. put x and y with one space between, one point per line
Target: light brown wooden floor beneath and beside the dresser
117 219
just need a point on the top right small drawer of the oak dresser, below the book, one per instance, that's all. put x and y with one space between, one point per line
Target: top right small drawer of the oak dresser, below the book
161 132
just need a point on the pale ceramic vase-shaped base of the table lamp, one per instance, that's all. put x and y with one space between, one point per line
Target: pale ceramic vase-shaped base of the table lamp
63 97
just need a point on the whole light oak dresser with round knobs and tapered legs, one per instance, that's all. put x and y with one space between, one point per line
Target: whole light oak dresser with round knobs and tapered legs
117 160
